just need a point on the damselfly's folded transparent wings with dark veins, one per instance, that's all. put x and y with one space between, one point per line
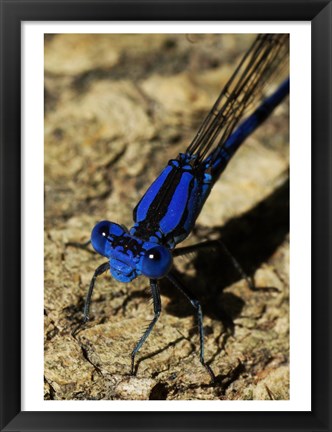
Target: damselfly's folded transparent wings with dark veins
263 61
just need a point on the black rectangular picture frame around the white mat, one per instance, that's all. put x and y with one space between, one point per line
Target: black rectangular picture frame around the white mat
13 12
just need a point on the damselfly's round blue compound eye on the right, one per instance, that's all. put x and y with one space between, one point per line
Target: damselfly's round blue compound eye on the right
157 262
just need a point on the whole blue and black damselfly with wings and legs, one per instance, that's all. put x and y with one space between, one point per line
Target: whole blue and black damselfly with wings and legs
167 212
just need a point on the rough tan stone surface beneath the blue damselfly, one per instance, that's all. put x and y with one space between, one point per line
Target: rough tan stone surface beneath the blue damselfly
117 107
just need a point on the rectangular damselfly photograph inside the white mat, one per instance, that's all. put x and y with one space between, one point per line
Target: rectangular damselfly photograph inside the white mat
166 216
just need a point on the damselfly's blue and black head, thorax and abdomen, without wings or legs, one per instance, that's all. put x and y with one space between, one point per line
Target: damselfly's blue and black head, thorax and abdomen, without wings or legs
167 212
